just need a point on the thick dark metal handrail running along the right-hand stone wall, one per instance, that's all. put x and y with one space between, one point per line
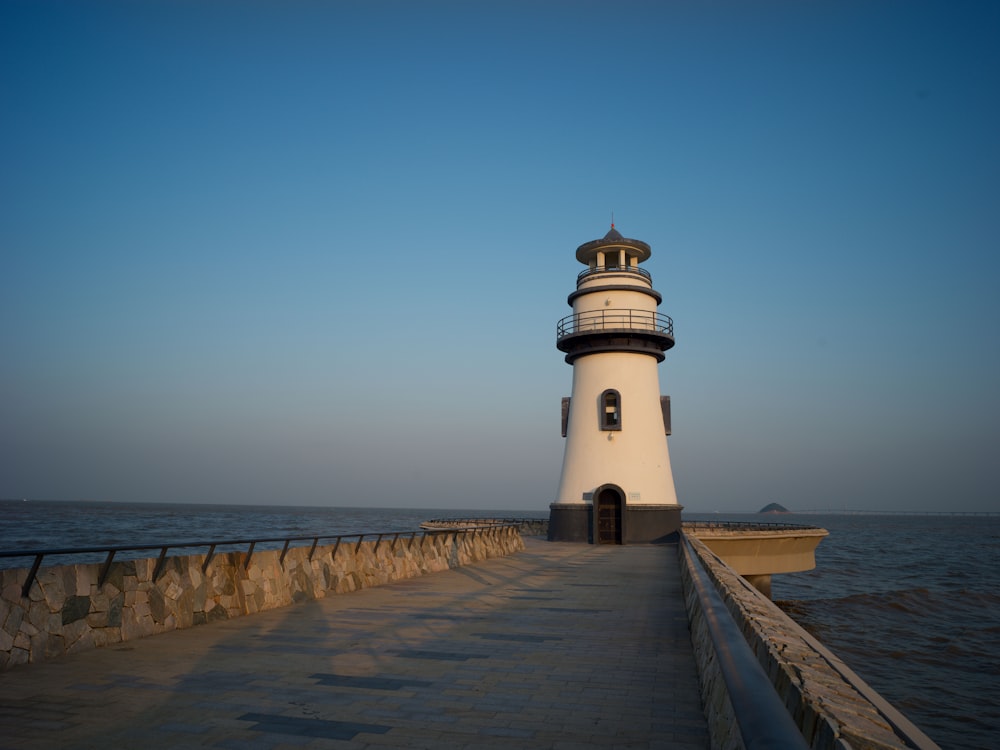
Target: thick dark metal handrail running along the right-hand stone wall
763 719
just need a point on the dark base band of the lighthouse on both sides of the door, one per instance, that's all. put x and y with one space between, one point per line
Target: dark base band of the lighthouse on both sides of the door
641 524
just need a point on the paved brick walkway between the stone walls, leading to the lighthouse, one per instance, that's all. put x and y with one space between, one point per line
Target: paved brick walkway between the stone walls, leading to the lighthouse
560 646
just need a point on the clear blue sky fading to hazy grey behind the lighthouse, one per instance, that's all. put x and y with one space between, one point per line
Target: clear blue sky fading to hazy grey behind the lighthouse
313 253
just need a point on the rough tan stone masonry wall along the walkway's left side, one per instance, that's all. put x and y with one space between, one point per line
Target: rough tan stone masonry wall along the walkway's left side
66 611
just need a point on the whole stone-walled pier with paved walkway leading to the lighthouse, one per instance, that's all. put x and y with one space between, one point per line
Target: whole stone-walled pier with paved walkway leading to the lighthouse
469 633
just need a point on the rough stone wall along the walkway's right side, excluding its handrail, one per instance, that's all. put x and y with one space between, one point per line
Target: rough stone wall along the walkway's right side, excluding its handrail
832 706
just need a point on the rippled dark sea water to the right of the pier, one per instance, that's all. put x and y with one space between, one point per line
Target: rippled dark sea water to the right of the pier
912 604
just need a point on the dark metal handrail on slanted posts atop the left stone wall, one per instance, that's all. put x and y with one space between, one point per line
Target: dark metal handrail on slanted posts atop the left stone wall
111 551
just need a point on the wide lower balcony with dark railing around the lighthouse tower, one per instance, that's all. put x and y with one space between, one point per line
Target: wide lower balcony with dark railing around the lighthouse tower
615 330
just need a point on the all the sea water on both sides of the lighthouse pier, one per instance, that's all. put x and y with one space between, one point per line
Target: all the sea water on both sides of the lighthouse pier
911 603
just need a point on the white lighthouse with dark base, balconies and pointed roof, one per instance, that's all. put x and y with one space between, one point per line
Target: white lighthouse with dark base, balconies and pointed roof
616 485
